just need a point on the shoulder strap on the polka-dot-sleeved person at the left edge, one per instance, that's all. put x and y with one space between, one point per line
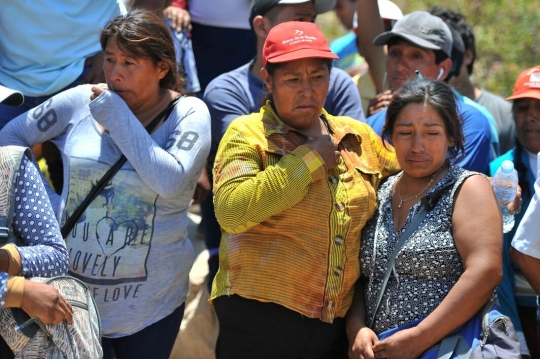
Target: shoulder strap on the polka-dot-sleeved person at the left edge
10 162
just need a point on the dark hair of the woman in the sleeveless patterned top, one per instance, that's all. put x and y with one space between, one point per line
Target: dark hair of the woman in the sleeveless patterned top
436 94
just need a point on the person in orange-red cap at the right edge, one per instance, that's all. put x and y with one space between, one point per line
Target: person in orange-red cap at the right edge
517 297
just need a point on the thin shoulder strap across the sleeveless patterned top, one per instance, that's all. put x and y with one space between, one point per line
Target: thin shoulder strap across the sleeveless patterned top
429 201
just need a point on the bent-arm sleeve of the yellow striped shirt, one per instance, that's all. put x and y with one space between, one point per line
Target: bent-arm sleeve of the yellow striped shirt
246 194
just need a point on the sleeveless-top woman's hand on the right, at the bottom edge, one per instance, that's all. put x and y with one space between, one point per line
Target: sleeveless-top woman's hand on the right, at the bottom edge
405 344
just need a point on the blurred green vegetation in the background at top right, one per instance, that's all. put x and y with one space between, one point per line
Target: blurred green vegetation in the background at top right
507 36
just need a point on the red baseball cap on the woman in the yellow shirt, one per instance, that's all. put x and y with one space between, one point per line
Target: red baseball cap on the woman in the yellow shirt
295 40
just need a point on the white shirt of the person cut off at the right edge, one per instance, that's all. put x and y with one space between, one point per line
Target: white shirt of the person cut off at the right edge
527 237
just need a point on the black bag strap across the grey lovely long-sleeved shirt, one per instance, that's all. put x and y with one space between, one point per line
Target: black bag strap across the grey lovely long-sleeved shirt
98 187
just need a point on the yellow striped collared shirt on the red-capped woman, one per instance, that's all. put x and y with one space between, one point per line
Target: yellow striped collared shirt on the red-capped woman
292 227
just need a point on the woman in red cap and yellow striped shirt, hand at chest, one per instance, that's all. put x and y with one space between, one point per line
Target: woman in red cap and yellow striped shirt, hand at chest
293 188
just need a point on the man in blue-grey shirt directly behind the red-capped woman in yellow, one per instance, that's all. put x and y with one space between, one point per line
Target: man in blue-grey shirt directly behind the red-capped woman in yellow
239 92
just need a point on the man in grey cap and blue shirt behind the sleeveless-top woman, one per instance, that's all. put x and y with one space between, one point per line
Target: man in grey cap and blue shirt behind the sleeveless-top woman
421 41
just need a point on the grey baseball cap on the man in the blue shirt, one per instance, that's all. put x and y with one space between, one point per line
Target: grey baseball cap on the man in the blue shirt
422 29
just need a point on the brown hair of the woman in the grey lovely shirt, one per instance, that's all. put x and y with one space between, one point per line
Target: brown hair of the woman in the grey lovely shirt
143 34
